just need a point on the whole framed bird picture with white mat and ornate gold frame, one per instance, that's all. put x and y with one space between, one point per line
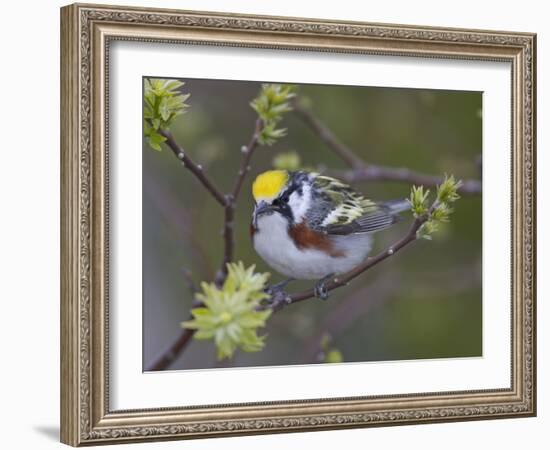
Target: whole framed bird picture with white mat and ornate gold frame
275 224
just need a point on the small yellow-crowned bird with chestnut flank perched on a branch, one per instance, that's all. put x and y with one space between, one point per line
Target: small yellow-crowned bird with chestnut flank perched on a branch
309 226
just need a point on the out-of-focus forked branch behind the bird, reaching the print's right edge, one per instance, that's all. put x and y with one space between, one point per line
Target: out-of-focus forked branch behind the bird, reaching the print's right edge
362 171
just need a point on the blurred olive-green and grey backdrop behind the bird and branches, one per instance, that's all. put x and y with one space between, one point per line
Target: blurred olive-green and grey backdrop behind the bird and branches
423 303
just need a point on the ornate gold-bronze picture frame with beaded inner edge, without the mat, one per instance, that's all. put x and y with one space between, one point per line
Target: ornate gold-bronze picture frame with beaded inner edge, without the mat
86 31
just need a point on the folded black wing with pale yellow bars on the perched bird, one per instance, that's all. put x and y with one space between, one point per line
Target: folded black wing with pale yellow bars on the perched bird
349 211
